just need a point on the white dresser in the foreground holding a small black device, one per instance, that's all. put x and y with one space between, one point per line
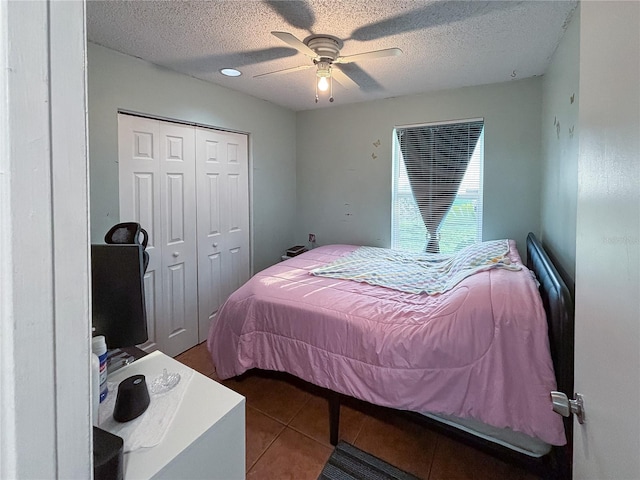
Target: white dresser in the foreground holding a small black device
207 436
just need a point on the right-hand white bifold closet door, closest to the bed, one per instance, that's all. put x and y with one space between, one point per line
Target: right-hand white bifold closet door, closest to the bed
223 219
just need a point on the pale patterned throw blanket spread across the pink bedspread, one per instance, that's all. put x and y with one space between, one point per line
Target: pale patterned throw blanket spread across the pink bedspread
418 272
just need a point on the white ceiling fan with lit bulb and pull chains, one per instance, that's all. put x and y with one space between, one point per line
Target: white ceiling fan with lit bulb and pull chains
324 51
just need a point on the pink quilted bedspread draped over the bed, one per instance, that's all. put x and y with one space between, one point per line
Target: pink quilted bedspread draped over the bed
479 351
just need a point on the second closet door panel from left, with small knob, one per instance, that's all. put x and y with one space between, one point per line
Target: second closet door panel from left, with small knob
179 331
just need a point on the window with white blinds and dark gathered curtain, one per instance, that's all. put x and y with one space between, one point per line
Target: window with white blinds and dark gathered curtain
437 186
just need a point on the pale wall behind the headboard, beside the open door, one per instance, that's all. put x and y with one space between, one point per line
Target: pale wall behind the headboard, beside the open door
560 134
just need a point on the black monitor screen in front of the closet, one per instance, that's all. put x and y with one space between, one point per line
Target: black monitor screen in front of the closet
118 301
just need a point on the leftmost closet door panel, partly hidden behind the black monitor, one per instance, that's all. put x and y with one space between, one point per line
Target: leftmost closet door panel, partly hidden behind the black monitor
139 180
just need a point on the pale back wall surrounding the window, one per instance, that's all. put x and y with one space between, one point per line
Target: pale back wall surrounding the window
344 180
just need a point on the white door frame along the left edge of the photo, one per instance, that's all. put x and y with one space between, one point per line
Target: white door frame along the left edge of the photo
45 405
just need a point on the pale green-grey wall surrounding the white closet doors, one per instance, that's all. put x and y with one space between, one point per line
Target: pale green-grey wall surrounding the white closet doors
118 81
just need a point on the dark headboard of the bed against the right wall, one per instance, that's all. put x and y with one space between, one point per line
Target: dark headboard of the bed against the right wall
558 304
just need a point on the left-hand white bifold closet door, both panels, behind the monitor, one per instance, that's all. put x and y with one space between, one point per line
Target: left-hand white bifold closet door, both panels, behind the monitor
157 179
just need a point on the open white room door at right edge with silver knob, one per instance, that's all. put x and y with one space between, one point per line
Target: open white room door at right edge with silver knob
608 242
